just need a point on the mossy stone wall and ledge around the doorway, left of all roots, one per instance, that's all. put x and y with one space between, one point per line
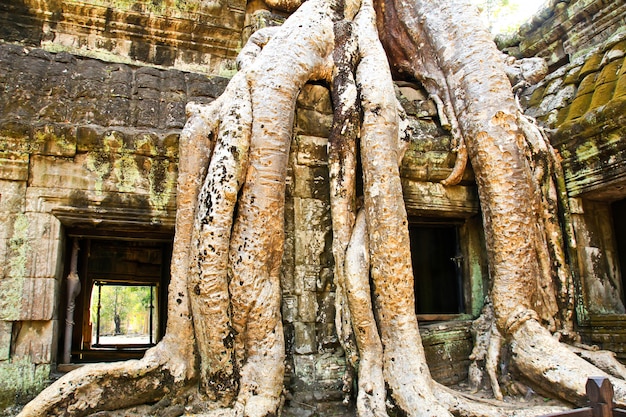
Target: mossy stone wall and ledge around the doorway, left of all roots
83 143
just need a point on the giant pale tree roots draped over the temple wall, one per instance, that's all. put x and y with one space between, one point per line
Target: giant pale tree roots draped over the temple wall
225 338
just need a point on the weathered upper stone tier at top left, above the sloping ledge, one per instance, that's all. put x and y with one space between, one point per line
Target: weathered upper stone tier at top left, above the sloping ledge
181 34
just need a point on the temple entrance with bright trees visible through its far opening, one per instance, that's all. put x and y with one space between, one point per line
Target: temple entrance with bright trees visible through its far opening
120 310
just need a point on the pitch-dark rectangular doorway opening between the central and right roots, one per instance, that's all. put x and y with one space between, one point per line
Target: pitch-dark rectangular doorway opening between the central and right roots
438 270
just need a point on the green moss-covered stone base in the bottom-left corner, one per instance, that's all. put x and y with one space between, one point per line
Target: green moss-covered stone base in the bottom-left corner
21 380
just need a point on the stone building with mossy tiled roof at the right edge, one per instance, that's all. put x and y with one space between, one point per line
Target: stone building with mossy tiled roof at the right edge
582 103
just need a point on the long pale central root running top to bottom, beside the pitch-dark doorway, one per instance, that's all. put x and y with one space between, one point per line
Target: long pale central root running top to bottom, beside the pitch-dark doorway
404 363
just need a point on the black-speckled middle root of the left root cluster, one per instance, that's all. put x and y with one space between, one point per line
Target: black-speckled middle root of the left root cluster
211 237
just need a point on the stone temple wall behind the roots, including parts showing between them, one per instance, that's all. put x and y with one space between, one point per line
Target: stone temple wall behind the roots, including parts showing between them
93 146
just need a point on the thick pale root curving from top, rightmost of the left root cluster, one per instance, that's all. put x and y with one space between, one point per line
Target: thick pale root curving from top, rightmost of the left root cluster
257 240
